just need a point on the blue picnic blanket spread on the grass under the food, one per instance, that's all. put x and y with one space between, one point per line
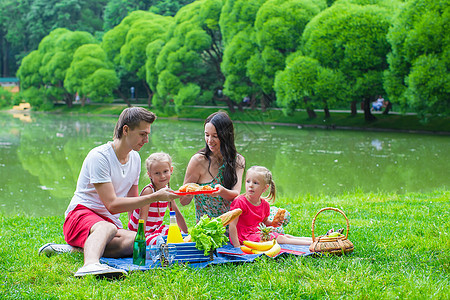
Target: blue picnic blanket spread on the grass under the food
225 254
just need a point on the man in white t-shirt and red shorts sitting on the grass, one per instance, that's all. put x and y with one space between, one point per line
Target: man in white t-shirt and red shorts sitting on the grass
107 186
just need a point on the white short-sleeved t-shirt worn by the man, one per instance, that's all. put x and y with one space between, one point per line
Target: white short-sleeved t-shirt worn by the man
101 165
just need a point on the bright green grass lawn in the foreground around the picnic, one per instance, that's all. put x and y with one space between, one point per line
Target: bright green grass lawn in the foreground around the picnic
402 250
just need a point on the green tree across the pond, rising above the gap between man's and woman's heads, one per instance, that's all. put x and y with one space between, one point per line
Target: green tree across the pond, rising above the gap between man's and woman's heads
190 57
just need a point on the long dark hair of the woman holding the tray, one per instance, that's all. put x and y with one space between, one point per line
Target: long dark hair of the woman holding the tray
225 132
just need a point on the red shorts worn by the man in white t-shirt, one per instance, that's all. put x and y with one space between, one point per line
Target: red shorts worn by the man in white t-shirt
78 223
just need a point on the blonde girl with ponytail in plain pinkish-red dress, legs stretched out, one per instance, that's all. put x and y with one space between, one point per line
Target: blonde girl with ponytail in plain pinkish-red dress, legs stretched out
256 210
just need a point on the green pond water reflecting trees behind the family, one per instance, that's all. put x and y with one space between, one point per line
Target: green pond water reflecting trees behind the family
41 156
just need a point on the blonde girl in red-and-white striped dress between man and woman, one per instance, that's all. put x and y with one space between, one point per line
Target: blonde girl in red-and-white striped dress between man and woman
159 169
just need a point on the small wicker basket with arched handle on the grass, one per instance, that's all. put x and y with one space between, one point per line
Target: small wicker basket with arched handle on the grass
333 245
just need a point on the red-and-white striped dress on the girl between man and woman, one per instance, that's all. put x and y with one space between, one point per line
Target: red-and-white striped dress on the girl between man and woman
153 225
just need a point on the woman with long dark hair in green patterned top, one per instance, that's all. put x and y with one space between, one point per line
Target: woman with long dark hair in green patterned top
218 165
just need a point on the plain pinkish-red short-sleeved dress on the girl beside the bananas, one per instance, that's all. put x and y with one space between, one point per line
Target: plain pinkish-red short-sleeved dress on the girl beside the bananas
251 217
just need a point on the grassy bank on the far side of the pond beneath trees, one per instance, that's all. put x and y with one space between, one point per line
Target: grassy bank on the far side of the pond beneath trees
338 120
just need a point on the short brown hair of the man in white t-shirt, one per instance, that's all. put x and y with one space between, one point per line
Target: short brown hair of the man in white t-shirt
132 117
